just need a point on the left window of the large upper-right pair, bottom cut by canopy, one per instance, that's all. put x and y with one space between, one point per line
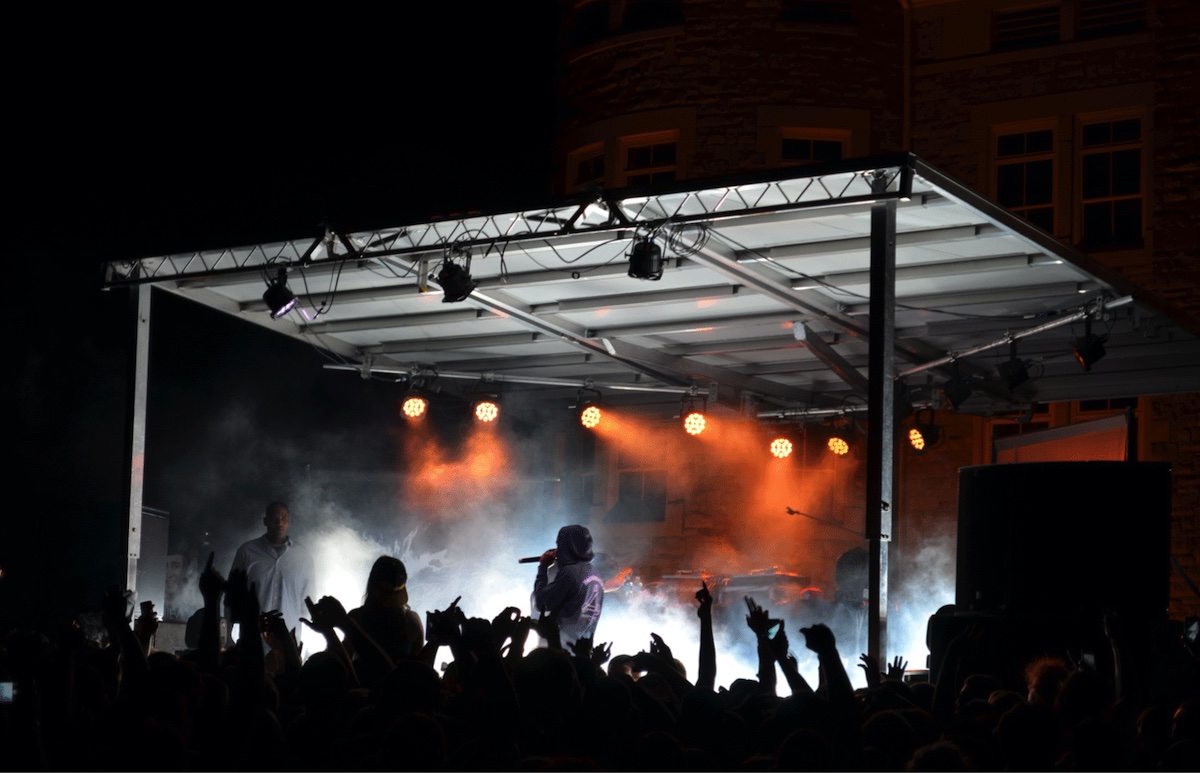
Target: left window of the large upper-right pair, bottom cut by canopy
1024 173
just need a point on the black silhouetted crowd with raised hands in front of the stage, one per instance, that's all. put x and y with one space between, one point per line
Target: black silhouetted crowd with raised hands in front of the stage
103 698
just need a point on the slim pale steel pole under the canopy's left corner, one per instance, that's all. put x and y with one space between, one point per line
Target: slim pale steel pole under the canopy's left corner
140 373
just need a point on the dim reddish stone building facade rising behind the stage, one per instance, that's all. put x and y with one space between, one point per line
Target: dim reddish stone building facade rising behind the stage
1079 116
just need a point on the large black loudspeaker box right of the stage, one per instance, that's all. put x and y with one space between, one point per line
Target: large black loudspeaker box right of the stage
1046 540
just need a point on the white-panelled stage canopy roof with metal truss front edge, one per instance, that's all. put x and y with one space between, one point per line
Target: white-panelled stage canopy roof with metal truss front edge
763 304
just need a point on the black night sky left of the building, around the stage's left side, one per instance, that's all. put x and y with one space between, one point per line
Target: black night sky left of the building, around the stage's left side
129 139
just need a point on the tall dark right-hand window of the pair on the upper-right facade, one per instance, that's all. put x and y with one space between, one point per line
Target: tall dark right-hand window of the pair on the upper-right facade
1111 183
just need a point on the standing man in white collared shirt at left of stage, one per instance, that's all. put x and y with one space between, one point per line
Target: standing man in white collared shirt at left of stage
280 568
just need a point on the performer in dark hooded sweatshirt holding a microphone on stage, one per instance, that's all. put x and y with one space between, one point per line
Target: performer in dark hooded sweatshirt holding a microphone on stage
577 595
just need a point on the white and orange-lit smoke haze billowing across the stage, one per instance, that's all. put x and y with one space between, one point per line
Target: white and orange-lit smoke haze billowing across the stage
460 506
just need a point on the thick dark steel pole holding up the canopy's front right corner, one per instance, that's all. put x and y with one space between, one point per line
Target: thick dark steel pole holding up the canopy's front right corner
881 421
